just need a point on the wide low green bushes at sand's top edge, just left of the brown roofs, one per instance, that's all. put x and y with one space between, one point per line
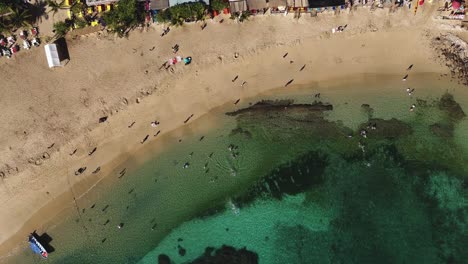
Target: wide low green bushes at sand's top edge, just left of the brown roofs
186 12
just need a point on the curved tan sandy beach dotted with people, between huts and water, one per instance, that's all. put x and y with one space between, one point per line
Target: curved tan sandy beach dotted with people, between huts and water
49 113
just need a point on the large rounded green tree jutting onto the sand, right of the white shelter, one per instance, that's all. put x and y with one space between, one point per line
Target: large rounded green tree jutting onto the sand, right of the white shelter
124 17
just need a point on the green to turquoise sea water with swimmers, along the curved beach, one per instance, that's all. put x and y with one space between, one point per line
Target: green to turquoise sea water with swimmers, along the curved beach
289 184
